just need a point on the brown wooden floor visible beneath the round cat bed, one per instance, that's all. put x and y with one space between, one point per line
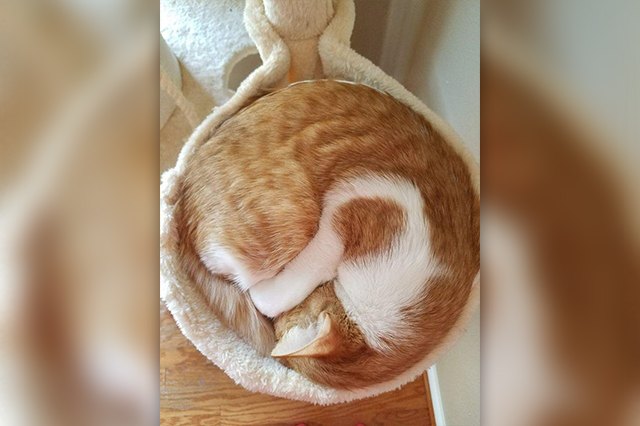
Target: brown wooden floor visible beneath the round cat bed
193 391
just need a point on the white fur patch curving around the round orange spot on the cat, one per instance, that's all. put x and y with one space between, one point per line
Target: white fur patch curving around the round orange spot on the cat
375 289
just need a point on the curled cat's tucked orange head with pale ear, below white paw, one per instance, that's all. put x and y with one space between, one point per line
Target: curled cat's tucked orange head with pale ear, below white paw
318 327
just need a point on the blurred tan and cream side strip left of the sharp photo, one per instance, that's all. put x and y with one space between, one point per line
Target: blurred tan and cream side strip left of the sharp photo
78 212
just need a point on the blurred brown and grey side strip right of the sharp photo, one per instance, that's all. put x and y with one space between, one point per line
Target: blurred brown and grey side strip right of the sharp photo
560 255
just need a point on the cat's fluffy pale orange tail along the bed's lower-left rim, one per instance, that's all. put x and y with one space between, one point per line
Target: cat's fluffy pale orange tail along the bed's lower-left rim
232 306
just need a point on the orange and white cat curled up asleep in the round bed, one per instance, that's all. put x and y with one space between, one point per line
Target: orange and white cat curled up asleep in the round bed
342 215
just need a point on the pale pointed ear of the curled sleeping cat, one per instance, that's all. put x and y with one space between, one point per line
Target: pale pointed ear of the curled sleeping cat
319 339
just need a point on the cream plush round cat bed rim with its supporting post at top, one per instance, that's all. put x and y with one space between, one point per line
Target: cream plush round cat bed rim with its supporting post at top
297 40
